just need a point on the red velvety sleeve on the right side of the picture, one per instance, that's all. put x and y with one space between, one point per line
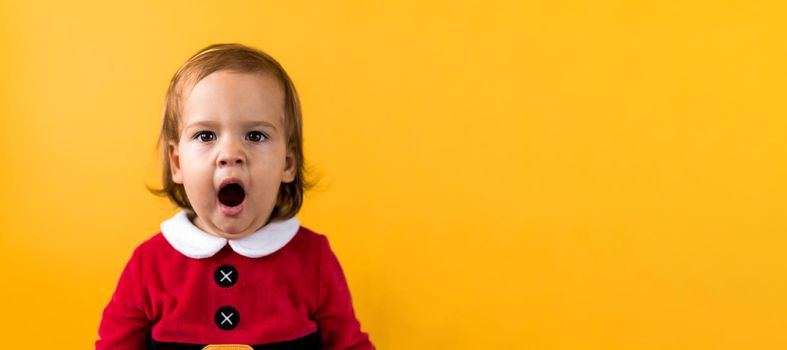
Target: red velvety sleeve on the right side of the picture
339 329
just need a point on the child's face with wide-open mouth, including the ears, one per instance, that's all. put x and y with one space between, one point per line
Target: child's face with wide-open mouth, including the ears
232 129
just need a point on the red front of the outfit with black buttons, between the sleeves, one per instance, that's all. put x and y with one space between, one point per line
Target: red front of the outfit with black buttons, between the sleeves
229 298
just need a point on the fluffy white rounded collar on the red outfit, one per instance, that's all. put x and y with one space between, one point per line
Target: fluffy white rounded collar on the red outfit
191 241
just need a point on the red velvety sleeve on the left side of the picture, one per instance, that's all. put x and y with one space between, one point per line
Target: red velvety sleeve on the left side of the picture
124 324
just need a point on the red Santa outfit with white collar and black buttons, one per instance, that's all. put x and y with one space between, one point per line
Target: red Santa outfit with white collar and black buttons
279 287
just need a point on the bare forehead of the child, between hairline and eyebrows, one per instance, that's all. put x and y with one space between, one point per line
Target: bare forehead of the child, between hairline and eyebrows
228 96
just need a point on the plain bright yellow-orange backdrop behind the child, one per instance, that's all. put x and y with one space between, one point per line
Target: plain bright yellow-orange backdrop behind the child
521 175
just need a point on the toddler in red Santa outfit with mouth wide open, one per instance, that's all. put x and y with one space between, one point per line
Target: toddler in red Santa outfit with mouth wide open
234 269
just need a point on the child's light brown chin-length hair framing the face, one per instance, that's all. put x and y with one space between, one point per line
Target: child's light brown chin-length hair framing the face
243 59
